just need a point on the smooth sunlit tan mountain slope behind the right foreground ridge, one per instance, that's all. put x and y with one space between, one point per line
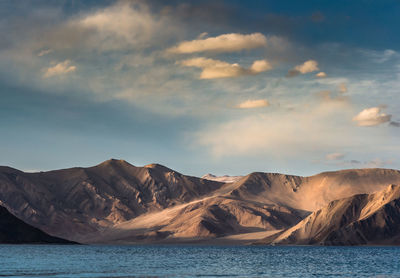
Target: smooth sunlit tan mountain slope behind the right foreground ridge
311 193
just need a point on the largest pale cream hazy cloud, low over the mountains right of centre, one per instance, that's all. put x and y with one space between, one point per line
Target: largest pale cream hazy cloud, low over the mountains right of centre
310 128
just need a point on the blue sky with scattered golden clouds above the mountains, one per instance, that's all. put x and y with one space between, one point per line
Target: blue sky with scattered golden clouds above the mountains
222 87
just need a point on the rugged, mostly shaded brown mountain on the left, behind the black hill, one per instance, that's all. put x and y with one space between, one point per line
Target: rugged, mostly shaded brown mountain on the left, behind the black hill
73 202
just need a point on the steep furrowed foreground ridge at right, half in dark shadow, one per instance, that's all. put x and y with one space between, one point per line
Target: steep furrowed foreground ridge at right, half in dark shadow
372 219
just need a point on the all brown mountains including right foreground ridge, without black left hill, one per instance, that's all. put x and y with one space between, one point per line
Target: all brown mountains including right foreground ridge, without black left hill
118 203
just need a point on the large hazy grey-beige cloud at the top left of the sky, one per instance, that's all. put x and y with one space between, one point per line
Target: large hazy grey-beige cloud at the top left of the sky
137 27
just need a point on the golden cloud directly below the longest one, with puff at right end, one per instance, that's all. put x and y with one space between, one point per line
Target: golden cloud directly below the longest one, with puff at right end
219 69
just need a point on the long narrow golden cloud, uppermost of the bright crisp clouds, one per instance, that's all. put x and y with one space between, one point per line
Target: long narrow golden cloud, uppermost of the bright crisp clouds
223 43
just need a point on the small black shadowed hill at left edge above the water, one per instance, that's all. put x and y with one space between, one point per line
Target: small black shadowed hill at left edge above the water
13 230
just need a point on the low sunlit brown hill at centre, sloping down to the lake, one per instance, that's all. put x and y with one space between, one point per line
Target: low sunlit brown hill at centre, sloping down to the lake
208 218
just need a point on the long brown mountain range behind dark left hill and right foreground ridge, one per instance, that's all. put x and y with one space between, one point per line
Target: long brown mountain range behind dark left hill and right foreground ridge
116 202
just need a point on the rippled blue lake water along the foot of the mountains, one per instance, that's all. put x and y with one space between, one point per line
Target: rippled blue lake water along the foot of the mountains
197 261
